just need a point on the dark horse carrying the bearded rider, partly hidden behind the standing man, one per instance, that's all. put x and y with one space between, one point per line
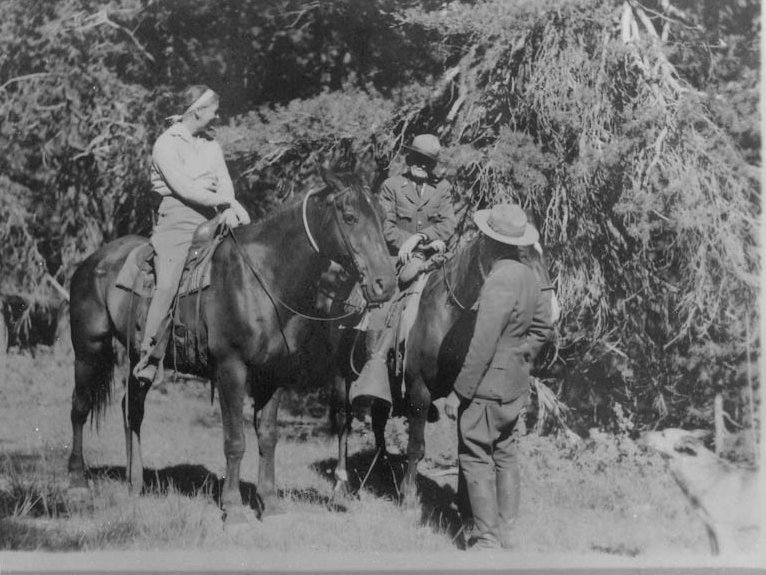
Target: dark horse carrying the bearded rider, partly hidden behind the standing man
435 349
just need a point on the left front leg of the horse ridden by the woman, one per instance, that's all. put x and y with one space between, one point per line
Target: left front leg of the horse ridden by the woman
231 376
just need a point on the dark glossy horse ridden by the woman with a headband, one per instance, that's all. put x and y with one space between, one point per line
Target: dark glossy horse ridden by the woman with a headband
264 280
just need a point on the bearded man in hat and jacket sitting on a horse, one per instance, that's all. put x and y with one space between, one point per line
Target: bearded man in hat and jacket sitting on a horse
418 221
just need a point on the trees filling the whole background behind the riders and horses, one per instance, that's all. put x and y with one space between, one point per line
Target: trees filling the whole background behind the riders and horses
630 129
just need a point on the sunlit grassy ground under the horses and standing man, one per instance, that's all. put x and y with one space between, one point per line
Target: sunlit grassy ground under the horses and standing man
601 495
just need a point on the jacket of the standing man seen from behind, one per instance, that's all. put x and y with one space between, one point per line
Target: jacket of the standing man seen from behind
512 324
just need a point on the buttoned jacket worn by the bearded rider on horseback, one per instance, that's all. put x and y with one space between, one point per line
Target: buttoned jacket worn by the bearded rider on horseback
406 213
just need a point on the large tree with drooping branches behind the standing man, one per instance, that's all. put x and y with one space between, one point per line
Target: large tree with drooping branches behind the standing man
649 208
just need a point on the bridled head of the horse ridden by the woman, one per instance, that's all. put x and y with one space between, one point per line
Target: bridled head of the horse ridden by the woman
351 234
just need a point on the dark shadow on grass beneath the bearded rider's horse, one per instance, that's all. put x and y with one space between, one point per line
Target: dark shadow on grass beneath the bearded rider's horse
438 503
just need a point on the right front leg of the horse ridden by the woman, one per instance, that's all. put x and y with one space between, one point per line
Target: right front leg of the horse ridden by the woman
267 431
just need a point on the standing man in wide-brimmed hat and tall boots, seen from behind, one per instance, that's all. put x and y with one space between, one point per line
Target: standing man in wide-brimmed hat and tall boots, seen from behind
512 324
